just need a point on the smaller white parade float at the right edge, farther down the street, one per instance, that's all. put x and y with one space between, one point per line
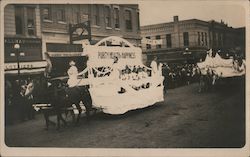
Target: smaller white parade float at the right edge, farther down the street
223 68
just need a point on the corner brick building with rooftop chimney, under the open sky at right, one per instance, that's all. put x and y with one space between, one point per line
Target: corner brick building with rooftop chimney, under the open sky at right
188 40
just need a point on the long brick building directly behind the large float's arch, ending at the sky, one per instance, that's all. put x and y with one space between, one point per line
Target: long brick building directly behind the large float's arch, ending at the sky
105 20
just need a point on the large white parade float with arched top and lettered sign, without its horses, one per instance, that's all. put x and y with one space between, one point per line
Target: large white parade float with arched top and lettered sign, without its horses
118 81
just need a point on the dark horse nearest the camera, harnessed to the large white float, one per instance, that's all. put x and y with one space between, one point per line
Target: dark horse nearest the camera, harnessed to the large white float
62 97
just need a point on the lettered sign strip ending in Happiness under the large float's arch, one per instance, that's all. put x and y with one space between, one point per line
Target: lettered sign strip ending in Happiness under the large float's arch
111 55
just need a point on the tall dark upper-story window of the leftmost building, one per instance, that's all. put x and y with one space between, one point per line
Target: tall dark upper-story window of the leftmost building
25 21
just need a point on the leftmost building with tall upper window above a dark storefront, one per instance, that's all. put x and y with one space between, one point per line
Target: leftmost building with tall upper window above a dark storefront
22 26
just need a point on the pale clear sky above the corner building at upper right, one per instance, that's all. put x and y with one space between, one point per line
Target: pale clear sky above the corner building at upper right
153 12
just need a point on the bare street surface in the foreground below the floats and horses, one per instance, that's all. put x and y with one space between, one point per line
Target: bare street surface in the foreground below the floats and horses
186 119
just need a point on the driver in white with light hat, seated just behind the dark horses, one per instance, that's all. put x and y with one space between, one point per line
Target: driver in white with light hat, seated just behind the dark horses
72 72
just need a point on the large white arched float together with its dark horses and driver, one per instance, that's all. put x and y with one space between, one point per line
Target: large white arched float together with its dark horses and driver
115 80
